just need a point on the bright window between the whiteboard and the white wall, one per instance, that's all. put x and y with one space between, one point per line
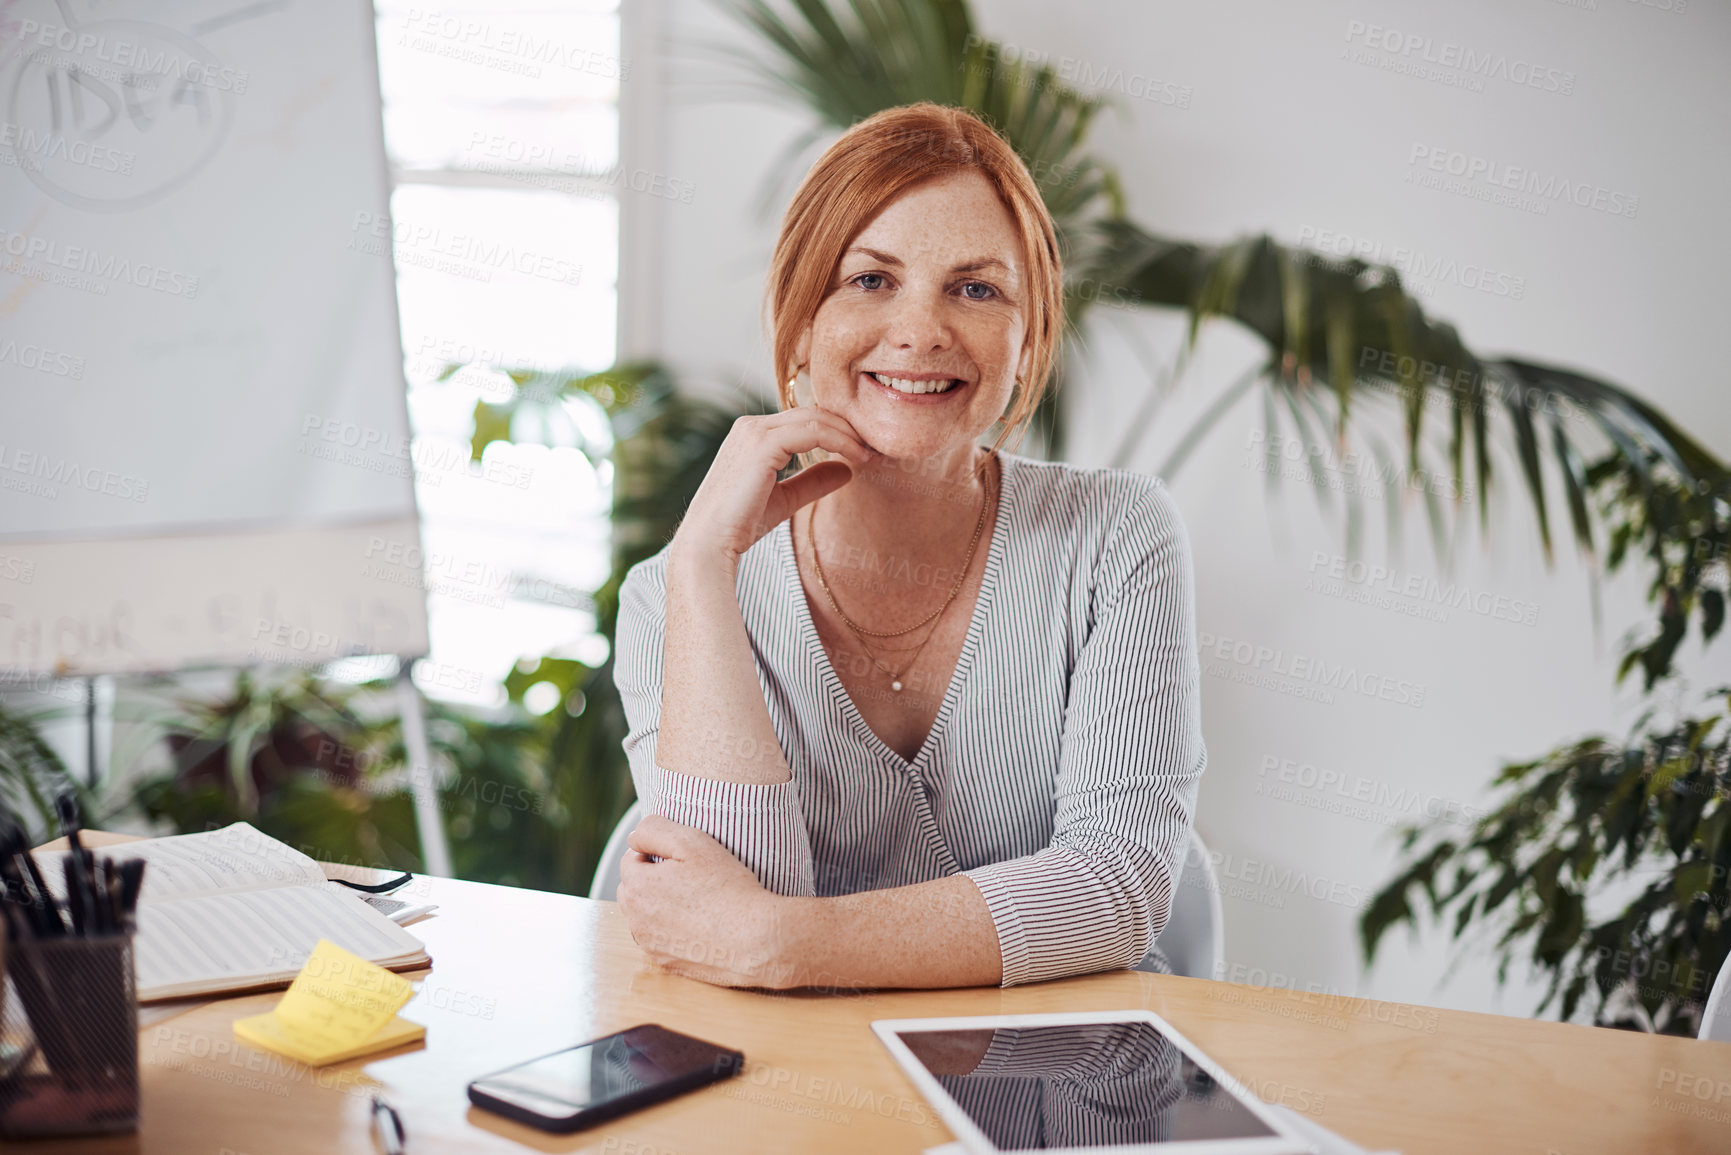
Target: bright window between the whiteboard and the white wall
501 124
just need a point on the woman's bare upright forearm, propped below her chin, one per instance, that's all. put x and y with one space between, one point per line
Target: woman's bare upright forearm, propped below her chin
714 721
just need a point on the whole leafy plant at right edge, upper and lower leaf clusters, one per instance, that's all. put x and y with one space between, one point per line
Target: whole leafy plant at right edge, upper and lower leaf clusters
1599 816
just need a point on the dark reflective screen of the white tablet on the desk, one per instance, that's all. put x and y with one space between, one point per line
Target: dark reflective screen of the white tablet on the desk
1086 1085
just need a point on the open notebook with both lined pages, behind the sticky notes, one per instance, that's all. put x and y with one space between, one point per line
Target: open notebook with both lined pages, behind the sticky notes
235 910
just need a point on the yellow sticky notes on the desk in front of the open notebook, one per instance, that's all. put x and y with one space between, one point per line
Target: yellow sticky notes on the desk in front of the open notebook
337 1007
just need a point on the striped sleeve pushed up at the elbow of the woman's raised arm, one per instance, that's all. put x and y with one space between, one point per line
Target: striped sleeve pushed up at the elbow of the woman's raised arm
764 827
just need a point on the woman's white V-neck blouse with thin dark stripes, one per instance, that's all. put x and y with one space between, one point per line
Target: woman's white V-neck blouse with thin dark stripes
1060 773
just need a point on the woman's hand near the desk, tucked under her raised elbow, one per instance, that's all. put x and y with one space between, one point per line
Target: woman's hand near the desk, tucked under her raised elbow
700 912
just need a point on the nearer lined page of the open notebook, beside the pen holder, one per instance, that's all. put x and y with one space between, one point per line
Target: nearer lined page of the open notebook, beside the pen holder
219 943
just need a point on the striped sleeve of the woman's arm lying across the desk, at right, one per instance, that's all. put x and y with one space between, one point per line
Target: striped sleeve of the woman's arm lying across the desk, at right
1129 766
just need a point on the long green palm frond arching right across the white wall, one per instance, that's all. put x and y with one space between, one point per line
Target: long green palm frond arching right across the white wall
1351 332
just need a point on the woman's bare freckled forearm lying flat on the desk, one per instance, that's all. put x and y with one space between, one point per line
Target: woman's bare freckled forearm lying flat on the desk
934 934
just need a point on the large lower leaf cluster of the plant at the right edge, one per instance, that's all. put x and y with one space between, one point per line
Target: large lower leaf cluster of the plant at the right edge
1654 813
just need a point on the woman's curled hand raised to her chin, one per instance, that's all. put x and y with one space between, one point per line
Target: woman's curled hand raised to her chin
740 500
